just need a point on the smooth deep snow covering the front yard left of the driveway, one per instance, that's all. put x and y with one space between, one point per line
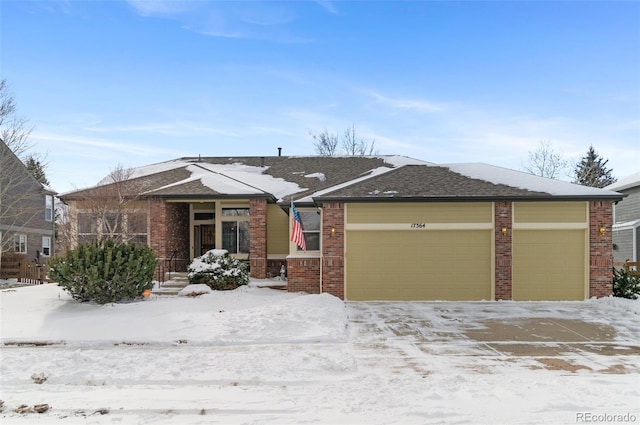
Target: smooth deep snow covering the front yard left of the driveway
247 314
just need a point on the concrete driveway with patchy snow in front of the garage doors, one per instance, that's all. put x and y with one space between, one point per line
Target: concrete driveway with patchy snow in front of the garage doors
566 336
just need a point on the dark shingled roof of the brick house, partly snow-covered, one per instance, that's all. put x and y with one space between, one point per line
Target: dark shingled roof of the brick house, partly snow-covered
317 179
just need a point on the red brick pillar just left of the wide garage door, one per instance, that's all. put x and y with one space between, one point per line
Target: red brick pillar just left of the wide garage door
333 249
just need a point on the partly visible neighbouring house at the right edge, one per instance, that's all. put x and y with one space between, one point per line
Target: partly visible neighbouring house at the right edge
626 219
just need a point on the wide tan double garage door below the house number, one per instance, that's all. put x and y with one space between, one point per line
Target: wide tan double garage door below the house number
418 265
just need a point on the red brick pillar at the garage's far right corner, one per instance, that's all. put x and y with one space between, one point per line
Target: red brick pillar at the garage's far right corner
600 249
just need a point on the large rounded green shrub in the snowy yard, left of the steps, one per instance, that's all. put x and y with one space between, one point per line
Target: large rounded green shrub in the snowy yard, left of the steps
104 271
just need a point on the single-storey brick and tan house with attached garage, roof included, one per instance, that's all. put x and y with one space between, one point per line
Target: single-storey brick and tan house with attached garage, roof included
376 228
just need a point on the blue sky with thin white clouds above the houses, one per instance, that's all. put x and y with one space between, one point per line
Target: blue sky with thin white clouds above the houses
108 83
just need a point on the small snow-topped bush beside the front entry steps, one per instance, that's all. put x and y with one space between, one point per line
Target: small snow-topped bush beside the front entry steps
218 270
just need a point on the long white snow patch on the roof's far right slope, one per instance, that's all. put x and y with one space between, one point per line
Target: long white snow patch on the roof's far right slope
519 179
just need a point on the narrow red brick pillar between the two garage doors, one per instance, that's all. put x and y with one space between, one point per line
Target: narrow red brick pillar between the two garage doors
503 250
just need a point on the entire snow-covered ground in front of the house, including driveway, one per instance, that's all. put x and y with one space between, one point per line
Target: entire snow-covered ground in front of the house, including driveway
263 356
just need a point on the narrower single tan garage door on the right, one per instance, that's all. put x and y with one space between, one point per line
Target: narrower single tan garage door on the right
549 265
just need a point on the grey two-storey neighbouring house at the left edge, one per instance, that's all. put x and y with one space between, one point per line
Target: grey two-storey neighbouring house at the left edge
26 211
